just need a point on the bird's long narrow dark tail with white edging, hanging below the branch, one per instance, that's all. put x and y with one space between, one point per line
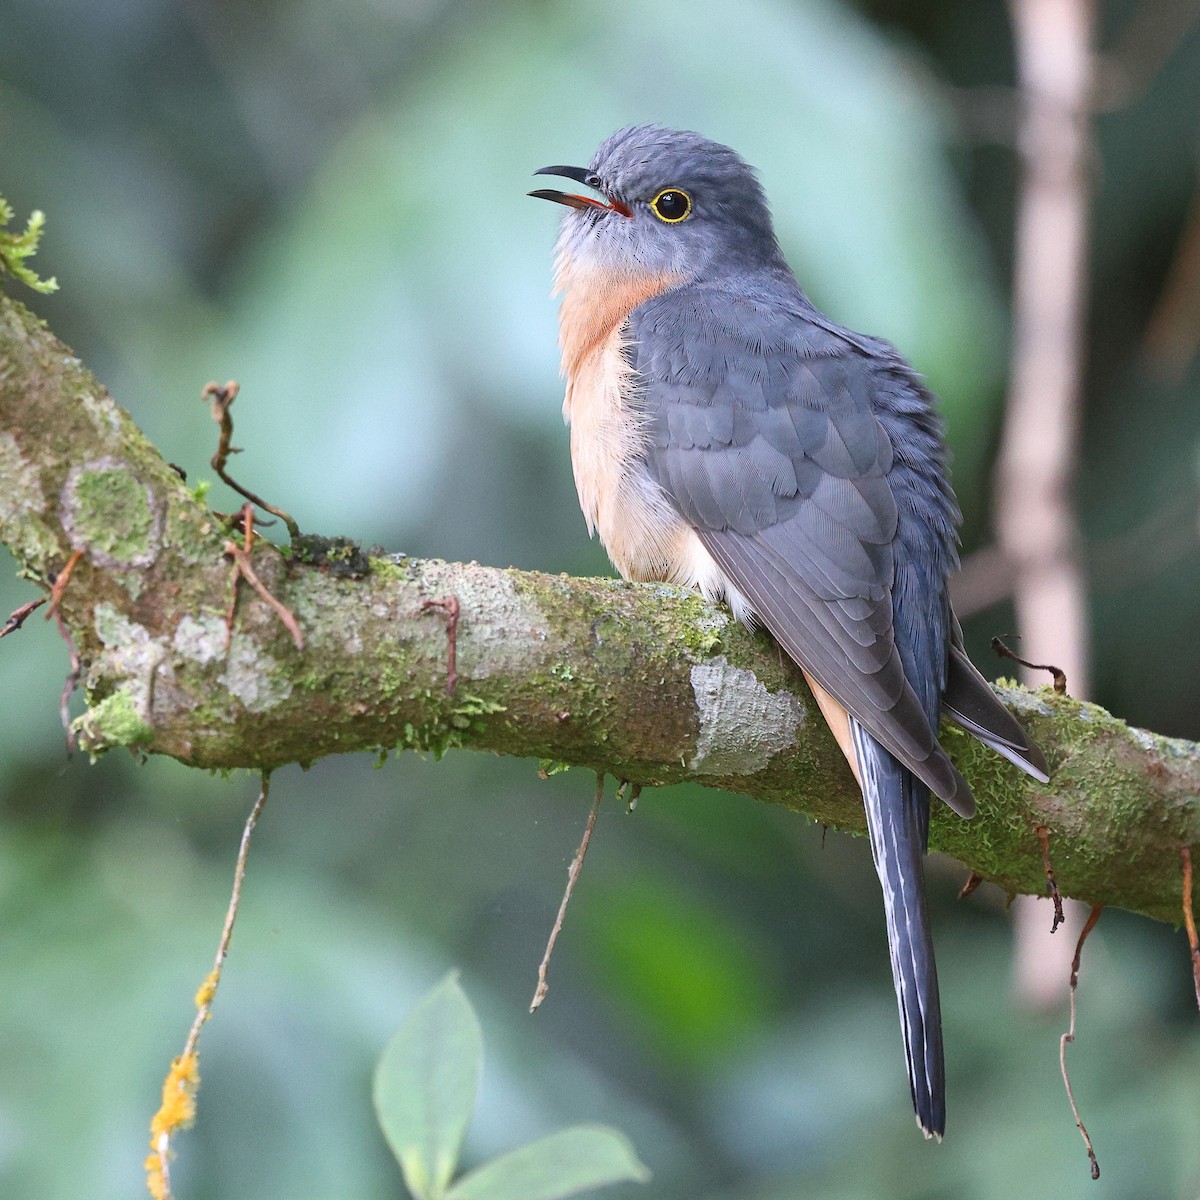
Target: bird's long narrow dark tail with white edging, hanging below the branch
898 820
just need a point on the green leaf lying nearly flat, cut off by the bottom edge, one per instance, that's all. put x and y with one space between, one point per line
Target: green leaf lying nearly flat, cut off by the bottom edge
563 1165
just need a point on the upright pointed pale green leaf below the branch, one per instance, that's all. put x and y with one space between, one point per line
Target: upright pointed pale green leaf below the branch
425 1088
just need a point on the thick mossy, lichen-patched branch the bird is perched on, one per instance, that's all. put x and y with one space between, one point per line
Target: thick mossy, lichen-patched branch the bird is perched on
647 683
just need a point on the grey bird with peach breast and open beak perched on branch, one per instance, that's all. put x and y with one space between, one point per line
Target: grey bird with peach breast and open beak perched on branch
729 436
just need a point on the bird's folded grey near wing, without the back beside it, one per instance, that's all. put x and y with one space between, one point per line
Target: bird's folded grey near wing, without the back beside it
763 435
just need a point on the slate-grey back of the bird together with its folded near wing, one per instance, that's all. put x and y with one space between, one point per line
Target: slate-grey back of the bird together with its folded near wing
809 459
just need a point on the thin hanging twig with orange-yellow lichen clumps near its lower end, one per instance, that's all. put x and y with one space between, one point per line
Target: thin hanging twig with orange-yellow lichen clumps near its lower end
178 1109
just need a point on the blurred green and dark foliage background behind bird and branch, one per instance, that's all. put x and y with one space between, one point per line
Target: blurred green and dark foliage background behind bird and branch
327 202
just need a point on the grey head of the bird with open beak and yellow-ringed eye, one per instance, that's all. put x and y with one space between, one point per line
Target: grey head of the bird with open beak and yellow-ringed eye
670 202
